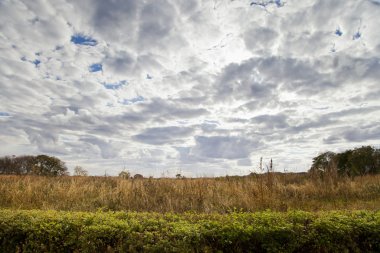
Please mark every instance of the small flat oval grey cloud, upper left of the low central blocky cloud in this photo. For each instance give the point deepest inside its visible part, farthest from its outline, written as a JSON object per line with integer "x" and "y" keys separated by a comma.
{"x": 163, "y": 135}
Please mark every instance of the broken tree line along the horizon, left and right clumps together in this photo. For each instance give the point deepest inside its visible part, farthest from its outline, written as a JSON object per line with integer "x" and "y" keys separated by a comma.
{"x": 352, "y": 162}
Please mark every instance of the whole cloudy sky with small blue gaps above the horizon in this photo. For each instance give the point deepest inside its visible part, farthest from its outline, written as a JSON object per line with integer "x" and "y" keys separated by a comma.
{"x": 200, "y": 88}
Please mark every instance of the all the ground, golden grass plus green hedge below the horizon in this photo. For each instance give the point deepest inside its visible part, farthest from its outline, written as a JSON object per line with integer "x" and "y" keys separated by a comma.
{"x": 258, "y": 213}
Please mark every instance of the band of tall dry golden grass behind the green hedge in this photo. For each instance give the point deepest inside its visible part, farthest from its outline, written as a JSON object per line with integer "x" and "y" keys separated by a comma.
{"x": 280, "y": 192}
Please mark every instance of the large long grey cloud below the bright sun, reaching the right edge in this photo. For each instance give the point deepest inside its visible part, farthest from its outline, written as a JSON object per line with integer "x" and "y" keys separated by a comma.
{"x": 257, "y": 76}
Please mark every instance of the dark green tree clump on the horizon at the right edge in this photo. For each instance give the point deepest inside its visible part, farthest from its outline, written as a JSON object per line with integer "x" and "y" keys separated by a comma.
{"x": 356, "y": 162}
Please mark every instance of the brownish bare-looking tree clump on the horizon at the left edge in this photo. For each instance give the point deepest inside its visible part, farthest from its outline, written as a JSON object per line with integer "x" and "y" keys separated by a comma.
{"x": 37, "y": 165}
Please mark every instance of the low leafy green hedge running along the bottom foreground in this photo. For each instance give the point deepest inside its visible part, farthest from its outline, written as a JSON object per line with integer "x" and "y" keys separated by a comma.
{"x": 55, "y": 231}
